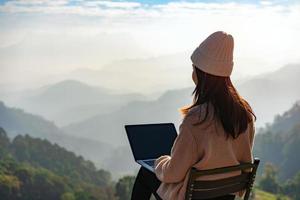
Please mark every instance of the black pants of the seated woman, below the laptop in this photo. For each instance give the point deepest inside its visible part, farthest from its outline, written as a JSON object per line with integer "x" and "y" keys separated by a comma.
{"x": 146, "y": 183}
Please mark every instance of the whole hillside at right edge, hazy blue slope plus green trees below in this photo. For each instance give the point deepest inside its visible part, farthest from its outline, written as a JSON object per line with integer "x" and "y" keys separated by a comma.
{"x": 277, "y": 145}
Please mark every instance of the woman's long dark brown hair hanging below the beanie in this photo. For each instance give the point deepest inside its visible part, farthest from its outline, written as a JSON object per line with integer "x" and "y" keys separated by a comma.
{"x": 230, "y": 108}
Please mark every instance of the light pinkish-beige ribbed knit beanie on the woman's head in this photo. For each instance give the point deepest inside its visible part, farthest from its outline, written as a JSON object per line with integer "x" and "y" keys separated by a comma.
{"x": 215, "y": 54}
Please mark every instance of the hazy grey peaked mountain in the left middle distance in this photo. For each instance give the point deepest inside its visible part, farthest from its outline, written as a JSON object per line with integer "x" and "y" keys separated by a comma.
{"x": 71, "y": 101}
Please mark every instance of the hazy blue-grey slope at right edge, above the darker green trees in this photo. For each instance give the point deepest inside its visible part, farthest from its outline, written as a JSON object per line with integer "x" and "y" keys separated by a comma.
{"x": 278, "y": 143}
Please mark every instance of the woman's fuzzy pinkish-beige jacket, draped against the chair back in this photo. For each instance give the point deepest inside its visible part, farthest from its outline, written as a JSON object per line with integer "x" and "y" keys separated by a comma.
{"x": 205, "y": 147}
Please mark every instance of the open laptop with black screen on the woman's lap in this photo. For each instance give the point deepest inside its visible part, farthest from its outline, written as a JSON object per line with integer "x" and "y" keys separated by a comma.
{"x": 149, "y": 141}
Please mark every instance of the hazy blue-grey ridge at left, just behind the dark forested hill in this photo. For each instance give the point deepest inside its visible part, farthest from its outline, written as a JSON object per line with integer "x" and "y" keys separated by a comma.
{"x": 17, "y": 122}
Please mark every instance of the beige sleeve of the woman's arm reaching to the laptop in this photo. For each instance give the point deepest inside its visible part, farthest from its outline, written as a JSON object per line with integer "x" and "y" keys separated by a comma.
{"x": 173, "y": 168}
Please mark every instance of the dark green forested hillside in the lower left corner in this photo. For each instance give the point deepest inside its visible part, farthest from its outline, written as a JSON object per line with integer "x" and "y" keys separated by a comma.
{"x": 33, "y": 168}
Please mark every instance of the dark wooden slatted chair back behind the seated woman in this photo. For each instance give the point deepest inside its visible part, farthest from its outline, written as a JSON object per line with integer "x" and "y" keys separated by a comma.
{"x": 200, "y": 189}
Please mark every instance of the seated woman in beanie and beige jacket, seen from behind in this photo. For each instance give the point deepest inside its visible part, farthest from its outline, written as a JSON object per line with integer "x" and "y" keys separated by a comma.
{"x": 217, "y": 129}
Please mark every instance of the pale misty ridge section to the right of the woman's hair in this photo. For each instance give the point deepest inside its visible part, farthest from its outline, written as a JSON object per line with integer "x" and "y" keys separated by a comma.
{"x": 272, "y": 93}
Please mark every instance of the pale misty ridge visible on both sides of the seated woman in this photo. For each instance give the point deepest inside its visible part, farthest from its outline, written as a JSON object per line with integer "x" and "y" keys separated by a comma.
{"x": 269, "y": 95}
